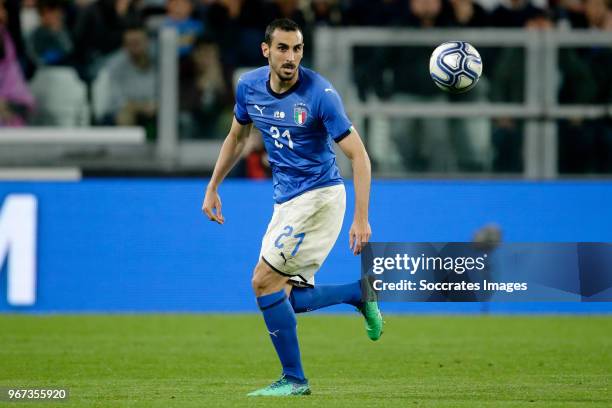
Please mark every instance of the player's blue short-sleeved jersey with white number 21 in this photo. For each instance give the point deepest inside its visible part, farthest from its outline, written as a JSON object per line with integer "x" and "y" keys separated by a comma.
{"x": 297, "y": 126}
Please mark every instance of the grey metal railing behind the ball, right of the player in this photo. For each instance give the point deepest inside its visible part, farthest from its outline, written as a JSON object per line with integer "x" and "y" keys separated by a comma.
{"x": 334, "y": 58}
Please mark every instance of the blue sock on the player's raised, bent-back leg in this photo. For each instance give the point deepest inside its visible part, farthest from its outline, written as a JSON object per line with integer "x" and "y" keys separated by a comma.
{"x": 308, "y": 299}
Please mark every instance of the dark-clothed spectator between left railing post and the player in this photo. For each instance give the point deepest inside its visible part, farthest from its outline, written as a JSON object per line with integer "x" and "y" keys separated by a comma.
{"x": 203, "y": 93}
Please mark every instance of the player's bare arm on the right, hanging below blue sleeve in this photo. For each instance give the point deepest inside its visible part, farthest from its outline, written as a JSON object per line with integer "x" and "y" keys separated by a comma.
{"x": 353, "y": 148}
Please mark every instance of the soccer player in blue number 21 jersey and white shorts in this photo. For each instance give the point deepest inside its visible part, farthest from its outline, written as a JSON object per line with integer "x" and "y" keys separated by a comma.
{"x": 299, "y": 114}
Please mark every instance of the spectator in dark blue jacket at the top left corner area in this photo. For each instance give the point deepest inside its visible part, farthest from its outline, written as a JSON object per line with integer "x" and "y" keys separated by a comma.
{"x": 50, "y": 43}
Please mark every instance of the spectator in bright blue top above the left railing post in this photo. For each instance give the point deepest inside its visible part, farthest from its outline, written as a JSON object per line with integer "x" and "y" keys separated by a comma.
{"x": 178, "y": 15}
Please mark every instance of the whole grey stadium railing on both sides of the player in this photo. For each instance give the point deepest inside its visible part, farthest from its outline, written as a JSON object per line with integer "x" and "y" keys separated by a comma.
{"x": 334, "y": 58}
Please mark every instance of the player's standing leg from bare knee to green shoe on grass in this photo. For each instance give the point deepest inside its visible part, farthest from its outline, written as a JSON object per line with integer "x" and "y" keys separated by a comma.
{"x": 269, "y": 287}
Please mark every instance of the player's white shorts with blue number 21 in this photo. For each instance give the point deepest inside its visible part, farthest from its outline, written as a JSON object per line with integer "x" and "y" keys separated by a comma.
{"x": 302, "y": 232}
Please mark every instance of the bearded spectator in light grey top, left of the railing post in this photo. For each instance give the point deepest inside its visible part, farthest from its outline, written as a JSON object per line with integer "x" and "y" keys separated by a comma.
{"x": 133, "y": 83}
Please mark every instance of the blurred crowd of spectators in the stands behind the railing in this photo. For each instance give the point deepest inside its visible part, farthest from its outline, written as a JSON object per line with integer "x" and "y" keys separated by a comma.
{"x": 94, "y": 62}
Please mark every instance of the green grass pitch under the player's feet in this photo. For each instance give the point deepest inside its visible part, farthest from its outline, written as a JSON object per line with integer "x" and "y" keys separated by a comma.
{"x": 214, "y": 360}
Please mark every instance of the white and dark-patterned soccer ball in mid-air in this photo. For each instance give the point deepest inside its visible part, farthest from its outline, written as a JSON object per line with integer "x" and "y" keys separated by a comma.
{"x": 455, "y": 66}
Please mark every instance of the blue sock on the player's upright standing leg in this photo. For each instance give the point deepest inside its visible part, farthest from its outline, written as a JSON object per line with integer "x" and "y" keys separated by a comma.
{"x": 282, "y": 326}
